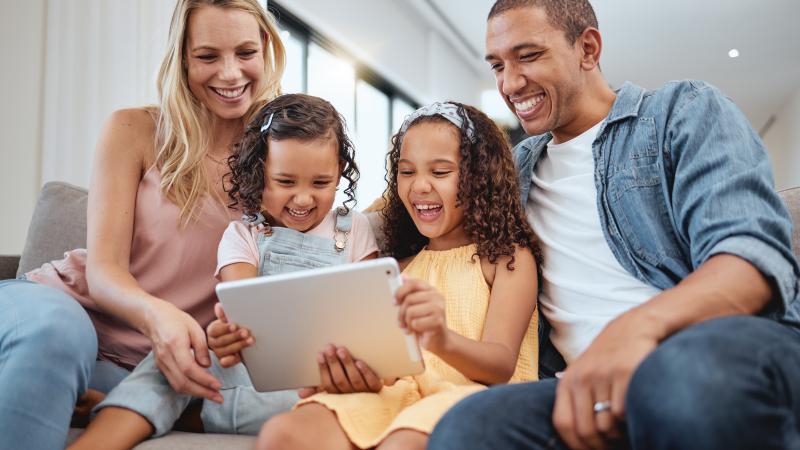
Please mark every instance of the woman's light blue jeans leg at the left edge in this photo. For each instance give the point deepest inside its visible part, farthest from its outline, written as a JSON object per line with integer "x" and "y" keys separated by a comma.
{"x": 48, "y": 348}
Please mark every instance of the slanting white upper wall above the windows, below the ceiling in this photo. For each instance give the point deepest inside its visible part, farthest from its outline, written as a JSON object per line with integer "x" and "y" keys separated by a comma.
{"x": 393, "y": 38}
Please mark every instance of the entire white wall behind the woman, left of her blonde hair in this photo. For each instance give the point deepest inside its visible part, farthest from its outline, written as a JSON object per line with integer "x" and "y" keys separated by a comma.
{"x": 68, "y": 64}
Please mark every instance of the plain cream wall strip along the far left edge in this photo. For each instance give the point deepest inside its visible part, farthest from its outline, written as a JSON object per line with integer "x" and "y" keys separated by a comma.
{"x": 22, "y": 46}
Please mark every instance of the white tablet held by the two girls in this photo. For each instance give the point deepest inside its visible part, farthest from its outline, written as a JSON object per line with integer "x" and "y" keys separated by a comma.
{"x": 294, "y": 316}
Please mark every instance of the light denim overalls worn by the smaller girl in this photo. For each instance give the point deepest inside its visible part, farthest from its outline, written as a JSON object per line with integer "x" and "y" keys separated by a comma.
{"x": 148, "y": 393}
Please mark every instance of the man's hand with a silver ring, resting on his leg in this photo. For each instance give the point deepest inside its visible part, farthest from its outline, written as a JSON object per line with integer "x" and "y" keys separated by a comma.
{"x": 590, "y": 398}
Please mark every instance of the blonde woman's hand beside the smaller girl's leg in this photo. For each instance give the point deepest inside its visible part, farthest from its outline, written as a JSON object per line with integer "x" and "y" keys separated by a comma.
{"x": 181, "y": 354}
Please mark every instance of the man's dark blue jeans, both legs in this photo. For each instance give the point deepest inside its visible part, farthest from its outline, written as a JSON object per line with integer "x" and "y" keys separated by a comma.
{"x": 731, "y": 383}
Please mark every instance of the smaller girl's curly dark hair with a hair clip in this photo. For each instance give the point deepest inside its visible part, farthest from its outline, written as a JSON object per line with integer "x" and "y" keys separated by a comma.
{"x": 293, "y": 116}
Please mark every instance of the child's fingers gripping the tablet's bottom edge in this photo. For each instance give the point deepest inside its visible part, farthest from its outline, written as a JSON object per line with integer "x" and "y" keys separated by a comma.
{"x": 340, "y": 373}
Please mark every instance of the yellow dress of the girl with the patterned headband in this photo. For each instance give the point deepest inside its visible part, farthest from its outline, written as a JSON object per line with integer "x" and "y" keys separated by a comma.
{"x": 418, "y": 402}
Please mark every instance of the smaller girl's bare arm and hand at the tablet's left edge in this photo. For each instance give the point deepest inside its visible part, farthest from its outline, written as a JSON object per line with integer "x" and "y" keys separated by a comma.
{"x": 225, "y": 338}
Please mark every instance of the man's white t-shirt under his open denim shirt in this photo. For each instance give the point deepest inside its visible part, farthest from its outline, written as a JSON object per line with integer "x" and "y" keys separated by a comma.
{"x": 583, "y": 285}
